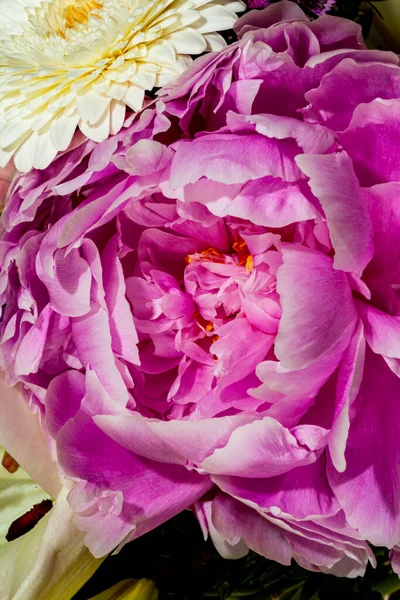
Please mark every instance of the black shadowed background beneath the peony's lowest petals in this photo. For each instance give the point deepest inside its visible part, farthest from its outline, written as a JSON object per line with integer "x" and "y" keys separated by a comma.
{"x": 185, "y": 567}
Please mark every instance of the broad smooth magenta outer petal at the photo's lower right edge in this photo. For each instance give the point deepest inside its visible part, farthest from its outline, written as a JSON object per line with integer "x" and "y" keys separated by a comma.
{"x": 369, "y": 488}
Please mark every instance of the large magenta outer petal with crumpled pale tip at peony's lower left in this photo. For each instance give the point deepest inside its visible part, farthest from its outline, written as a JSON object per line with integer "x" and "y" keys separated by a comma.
{"x": 122, "y": 494}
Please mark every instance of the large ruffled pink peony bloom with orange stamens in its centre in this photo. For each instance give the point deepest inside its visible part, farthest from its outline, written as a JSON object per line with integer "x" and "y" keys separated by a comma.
{"x": 205, "y": 309}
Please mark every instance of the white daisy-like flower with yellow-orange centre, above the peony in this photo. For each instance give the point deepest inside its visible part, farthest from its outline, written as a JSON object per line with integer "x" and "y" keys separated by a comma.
{"x": 79, "y": 63}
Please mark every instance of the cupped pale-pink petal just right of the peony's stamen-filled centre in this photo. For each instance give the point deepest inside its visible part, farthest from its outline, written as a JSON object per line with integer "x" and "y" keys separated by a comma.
{"x": 320, "y": 316}
